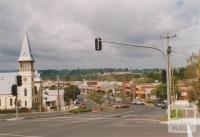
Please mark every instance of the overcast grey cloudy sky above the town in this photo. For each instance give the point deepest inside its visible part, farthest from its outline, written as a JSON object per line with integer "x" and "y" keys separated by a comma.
{"x": 62, "y": 32}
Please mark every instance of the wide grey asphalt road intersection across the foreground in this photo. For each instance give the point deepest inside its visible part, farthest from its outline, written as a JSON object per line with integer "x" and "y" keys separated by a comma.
{"x": 139, "y": 121}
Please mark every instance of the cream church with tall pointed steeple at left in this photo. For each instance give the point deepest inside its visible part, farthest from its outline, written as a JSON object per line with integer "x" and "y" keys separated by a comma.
{"x": 30, "y": 93}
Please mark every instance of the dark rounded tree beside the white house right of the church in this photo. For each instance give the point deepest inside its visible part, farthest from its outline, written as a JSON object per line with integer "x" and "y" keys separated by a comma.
{"x": 71, "y": 92}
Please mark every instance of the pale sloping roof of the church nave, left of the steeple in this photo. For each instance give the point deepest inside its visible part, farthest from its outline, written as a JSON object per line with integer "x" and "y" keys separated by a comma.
{"x": 6, "y": 81}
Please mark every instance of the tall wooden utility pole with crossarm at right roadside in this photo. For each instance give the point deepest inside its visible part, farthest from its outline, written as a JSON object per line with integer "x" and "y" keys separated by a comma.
{"x": 169, "y": 73}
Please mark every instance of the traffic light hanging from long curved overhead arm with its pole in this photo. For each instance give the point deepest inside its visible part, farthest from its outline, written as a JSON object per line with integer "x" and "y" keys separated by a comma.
{"x": 166, "y": 56}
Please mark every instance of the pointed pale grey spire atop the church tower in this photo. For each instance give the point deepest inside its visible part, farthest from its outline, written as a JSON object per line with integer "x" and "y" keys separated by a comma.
{"x": 26, "y": 54}
